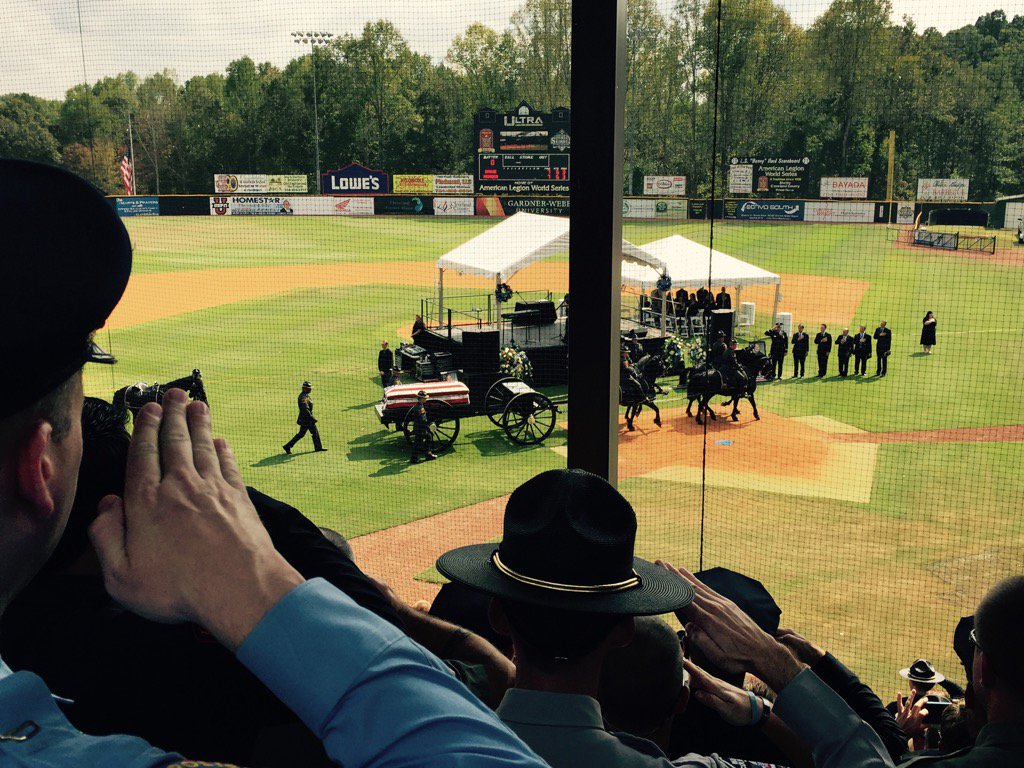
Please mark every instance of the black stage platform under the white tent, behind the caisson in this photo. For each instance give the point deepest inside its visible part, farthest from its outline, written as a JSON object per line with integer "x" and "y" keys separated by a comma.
{"x": 545, "y": 346}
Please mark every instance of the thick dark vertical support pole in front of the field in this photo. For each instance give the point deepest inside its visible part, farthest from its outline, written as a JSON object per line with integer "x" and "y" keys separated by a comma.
{"x": 599, "y": 59}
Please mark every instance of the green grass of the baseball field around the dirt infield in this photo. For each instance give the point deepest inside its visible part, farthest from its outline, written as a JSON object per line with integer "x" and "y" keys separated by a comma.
{"x": 944, "y": 519}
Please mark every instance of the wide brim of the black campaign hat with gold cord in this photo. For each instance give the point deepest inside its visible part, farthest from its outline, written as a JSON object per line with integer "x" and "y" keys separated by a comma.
{"x": 659, "y": 592}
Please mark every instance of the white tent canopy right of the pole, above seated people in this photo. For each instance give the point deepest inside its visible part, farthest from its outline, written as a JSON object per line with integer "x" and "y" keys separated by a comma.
{"x": 687, "y": 263}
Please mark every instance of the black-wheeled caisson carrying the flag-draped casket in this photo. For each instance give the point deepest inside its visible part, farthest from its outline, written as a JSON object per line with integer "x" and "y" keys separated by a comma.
{"x": 528, "y": 417}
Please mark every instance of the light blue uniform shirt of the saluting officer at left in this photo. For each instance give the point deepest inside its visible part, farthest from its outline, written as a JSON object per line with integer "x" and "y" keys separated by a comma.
{"x": 373, "y": 696}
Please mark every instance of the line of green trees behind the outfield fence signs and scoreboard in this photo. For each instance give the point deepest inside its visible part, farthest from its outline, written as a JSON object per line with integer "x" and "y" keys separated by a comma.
{"x": 832, "y": 92}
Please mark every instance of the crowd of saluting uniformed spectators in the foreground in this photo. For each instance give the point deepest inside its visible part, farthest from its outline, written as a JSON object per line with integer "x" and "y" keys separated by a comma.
{"x": 155, "y": 607}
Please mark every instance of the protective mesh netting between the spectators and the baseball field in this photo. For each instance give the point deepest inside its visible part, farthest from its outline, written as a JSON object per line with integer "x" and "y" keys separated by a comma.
{"x": 845, "y": 140}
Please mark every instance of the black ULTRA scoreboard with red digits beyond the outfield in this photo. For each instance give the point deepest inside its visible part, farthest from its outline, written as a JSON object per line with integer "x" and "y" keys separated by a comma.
{"x": 523, "y": 152}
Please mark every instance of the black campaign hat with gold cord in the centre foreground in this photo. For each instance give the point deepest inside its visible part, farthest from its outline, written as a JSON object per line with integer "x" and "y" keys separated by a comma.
{"x": 568, "y": 544}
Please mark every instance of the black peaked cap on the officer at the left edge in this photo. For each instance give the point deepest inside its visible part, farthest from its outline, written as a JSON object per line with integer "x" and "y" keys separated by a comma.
{"x": 66, "y": 264}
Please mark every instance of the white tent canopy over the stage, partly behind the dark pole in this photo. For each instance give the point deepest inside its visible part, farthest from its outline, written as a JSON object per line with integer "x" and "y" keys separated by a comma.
{"x": 520, "y": 241}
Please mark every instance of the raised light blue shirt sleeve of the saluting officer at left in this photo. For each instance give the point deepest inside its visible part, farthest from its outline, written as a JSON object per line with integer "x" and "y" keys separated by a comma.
{"x": 368, "y": 692}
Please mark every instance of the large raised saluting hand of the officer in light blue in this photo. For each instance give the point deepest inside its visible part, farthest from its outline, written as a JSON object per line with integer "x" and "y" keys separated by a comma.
{"x": 186, "y": 543}
